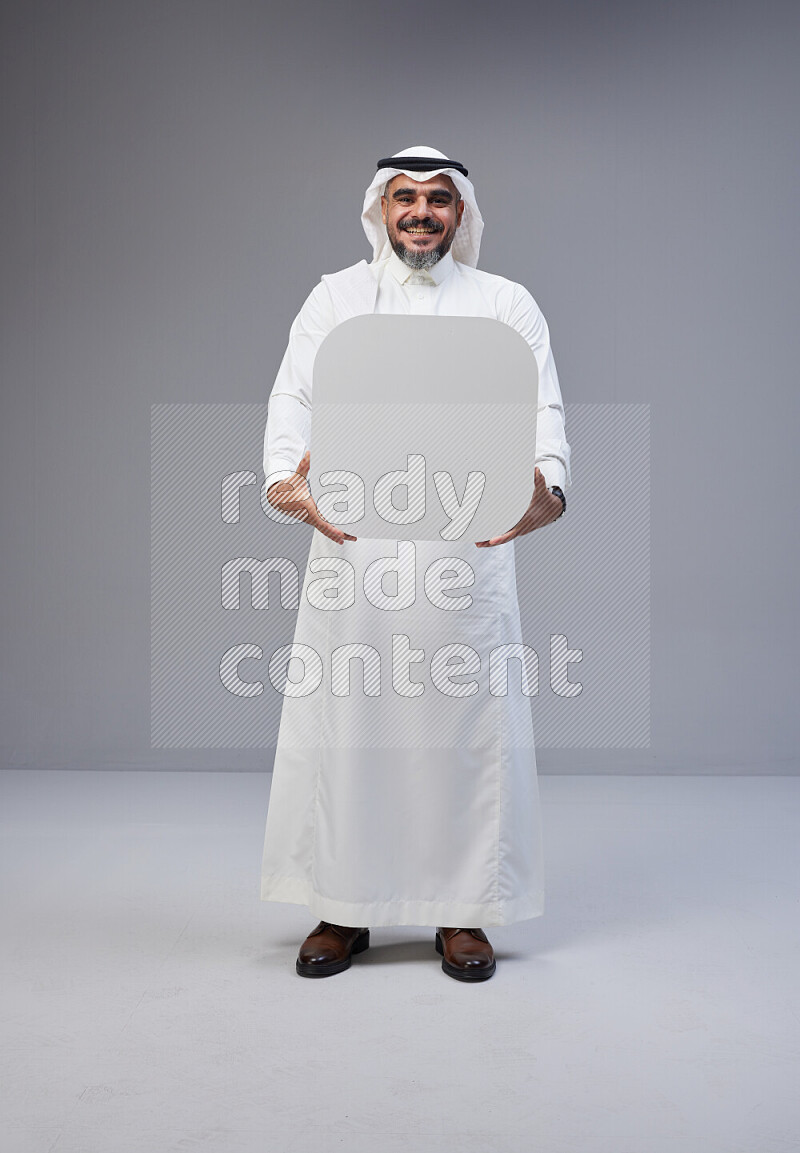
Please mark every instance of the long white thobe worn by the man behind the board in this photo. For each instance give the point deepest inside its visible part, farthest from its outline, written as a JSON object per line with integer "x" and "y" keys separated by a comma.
{"x": 419, "y": 805}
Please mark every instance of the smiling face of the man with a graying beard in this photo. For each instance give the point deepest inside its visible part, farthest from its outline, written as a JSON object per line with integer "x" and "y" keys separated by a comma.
{"x": 421, "y": 218}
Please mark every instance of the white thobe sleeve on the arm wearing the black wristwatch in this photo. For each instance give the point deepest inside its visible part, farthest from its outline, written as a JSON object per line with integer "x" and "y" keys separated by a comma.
{"x": 553, "y": 451}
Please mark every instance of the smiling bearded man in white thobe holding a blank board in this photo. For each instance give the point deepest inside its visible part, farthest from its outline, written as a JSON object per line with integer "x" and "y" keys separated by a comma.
{"x": 433, "y": 819}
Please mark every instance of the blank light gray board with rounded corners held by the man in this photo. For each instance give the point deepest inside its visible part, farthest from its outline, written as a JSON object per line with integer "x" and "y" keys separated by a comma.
{"x": 424, "y": 427}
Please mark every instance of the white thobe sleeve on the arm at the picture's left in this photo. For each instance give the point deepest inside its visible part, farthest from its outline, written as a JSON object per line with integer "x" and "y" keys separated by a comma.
{"x": 289, "y": 421}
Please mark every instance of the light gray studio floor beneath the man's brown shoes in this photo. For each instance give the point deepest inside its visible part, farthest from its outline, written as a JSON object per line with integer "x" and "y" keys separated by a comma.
{"x": 152, "y": 1005}
